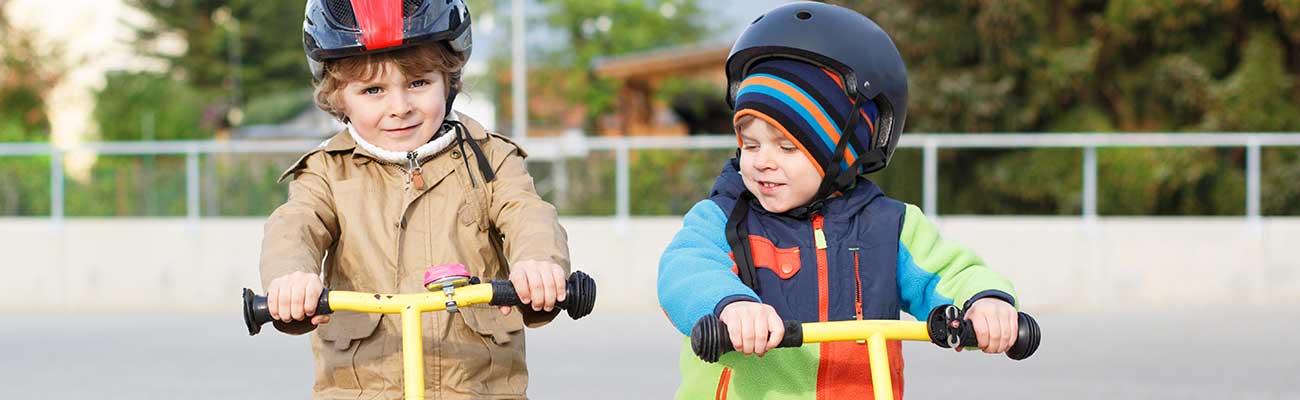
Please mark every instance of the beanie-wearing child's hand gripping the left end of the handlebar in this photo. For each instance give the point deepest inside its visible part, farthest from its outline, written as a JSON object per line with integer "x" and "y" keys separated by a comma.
{"x": 755, "y": 328}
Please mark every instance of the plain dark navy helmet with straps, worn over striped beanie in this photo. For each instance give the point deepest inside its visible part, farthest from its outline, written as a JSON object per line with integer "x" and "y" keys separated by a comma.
{"x": 868, "y": 62}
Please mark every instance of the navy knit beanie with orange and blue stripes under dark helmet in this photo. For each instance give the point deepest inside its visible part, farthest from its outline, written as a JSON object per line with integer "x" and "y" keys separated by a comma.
{"x": 809, "y": 106}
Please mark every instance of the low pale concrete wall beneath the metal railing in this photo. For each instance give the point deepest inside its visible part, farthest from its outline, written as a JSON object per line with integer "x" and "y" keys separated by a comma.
{"x": 1058, "y": 263}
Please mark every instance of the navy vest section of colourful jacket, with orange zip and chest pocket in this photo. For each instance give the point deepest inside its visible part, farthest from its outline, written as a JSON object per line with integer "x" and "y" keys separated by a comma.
{"x": 861, "y": 231}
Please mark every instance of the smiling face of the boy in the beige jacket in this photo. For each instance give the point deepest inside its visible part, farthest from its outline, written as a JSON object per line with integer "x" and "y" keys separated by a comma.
{"x": 396, "y": 112}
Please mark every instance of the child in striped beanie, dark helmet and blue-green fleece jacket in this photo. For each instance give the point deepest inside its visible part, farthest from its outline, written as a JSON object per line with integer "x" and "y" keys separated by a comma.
{"x": 794, "y": 232}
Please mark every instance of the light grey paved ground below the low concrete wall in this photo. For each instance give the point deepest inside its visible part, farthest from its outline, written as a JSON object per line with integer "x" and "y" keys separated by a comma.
{"x": 1181, "y": 355}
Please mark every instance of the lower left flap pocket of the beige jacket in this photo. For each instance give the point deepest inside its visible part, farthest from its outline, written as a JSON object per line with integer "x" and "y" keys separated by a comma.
{"x": 337, "y": 358}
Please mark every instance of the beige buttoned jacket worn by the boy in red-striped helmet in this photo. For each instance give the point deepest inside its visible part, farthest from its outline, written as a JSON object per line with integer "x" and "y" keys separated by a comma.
{"x": 378, "y": 234}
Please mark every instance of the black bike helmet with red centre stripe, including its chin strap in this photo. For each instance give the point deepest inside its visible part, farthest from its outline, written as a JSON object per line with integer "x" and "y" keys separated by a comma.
{"x": 341, "y": 29}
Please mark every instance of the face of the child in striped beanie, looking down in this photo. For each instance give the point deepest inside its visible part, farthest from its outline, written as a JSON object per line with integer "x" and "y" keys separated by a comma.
{"x": 774, "y": 169}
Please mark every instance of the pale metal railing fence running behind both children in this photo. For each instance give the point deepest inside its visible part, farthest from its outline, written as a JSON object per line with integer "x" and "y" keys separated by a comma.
{"x": 562, "y": 149}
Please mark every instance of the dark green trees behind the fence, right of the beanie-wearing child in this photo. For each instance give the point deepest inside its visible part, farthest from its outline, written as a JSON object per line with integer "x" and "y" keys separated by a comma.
{"x": 1095, "y": 66}
